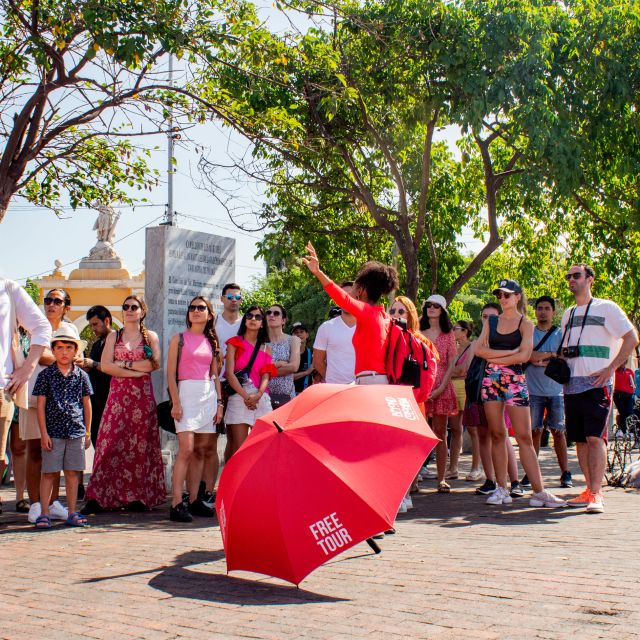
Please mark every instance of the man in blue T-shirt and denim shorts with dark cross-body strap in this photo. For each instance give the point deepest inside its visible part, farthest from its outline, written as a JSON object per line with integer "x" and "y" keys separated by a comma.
{"x": 546, "y": 401}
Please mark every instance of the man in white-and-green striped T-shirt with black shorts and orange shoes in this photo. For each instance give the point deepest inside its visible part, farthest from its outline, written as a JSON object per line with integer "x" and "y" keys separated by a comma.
{"x": 597, "y": 338}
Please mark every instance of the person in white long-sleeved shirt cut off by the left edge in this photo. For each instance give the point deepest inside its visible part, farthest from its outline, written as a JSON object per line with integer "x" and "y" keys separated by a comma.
{"x": 16, "y": 307}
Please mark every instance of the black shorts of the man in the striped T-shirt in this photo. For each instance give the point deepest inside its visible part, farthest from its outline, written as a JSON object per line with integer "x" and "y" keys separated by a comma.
{"x": 587, "y": 414}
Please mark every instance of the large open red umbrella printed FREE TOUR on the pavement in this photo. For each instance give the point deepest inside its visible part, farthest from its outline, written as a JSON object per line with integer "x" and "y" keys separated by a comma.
{"x": 319, "y": 475}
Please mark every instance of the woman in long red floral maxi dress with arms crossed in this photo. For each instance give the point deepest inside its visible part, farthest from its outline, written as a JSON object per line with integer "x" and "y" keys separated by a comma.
{"x": 127, "y": 468}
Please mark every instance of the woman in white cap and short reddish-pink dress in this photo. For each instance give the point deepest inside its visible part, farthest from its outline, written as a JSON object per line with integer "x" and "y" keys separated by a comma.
{"x": 442, "y": 403}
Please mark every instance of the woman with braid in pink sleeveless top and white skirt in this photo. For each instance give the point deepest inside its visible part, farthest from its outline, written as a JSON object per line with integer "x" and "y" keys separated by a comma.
{"x": 194, "y": 387}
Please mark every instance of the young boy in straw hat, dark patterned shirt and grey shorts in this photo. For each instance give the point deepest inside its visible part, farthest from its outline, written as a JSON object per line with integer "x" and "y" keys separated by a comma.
{"x": 64, "y": 418}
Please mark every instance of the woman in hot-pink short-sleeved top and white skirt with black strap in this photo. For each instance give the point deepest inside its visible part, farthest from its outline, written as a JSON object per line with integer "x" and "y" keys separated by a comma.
{"x": 248, "y": 368}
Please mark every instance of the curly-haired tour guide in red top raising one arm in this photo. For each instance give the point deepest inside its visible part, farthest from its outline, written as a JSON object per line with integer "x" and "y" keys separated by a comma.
{"x": 372, "y": 322}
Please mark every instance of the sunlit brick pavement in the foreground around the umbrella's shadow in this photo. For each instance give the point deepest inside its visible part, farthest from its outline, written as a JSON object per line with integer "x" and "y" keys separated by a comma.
{"x": 455, "y": 569}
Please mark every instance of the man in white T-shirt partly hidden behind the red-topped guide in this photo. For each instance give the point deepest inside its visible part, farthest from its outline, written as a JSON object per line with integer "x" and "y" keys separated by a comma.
{"x": 334, "y": 357}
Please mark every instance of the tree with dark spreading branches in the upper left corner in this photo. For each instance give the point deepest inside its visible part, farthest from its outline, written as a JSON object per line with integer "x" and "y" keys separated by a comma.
{"x": 80, "y": 79}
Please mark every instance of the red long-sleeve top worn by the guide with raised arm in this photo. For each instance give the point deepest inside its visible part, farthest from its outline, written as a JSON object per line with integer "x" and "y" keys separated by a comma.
{"x": 372, "y": 329}
